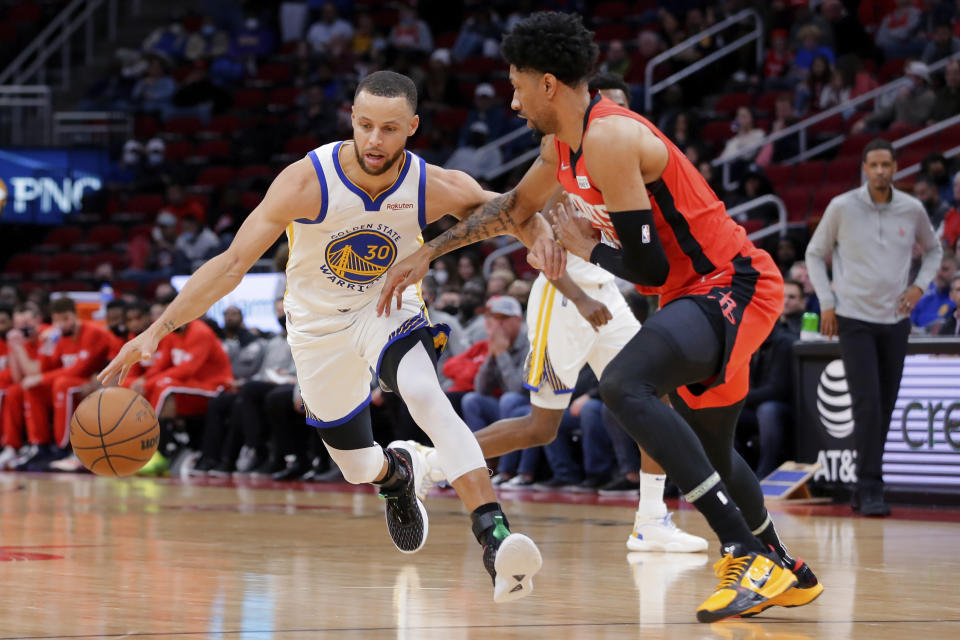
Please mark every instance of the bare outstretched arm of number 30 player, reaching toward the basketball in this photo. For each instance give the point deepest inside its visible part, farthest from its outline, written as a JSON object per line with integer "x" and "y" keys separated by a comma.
{"x": 287, "y": 199}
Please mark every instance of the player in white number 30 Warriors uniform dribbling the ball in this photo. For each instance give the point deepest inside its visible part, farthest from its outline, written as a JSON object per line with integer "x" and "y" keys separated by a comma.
{"x": 350, "y": 210}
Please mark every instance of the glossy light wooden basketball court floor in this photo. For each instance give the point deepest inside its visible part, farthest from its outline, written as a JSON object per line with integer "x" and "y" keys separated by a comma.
{"x": 96, "y": 558}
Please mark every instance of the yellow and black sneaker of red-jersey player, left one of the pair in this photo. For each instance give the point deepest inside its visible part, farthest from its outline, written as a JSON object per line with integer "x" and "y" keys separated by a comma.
{"x": 747, "y": 579}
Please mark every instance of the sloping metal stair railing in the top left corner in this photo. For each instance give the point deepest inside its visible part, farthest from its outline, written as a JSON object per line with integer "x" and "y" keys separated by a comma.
{"x": 56, "y": 40}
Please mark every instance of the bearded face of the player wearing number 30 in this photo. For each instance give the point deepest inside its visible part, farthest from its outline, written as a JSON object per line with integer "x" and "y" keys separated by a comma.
{"x": 381, "y": 127}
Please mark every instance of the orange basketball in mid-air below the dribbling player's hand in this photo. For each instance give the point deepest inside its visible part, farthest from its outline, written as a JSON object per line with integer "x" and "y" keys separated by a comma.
{"x": 114, "y": 431}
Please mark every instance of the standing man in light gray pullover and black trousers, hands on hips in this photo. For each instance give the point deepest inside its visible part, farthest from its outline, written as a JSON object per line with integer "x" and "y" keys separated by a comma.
{"x": 870, "y": 233}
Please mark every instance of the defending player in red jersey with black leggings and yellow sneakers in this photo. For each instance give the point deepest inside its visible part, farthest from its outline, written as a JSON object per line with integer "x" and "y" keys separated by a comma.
{"x": 661, "y": 227}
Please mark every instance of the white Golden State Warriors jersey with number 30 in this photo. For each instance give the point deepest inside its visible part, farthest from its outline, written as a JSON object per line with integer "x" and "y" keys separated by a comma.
{"x": 338, "y": 256}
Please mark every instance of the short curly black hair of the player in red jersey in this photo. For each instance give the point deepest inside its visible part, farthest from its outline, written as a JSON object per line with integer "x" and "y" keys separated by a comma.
{"x": 552, "y": 42}
